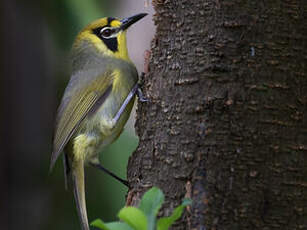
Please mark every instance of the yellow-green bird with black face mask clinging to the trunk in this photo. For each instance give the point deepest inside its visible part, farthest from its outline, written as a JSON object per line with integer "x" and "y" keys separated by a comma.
{"x": 97, "y": 101}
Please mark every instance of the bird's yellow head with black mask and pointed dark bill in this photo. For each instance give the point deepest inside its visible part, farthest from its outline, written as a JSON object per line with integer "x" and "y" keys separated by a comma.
{"x": 108, "y": 35}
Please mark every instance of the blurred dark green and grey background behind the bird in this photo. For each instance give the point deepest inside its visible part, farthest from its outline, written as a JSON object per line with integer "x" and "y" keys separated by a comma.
{"x": 36, "y": 37}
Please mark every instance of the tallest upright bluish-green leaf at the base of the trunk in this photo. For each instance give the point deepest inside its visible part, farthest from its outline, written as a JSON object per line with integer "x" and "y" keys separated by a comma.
{"x": 150, "y": 205}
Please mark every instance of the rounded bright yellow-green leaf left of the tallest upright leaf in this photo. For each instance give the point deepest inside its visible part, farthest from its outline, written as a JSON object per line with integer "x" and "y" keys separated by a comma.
{"x": 134, "y": 217}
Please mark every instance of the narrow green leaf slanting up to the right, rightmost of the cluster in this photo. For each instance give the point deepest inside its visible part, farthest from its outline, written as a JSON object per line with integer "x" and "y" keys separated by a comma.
{"x": 165, "y": 222}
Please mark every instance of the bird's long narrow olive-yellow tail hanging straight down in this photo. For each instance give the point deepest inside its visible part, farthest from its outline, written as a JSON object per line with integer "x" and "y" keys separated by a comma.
{"x": 79, "y": 192}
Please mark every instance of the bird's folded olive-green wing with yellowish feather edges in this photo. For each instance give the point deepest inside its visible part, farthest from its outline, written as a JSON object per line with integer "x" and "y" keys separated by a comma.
{"x": 77, "y": 103}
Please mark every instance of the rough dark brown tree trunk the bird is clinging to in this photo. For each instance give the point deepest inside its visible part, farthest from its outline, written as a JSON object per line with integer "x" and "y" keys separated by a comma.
{"x": 227, "y": 119}
